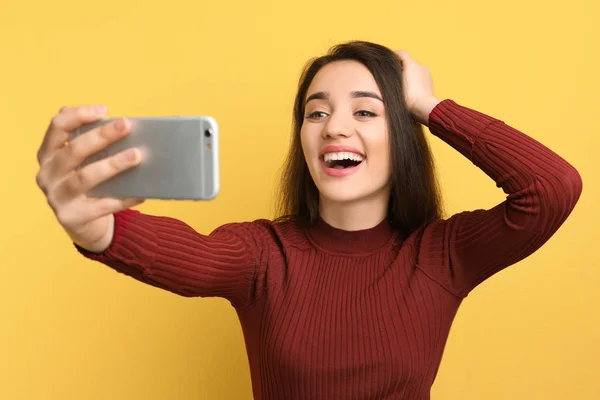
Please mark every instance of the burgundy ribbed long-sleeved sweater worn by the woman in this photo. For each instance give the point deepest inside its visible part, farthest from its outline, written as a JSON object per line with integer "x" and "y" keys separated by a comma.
{"x": 331, "y": 314}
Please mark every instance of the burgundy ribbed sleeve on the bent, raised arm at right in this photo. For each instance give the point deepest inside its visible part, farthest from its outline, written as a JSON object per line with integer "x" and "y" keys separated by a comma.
{"x": 542, "y": 189}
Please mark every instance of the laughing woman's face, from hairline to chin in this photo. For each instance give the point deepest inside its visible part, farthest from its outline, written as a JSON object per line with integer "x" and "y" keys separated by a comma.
{"x": 345, "y": 136}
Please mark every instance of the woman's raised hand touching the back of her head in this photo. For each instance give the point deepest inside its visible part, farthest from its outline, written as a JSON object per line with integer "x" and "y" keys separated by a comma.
{"x": 418, "y": 88}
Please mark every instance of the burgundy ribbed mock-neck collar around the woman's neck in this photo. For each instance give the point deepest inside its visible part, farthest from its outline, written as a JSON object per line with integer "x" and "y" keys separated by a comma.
{"x": 362, "y": 241}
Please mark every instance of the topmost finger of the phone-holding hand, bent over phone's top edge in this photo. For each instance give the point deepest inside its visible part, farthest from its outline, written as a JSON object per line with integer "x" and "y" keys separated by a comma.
{"x": 67, "y": 120}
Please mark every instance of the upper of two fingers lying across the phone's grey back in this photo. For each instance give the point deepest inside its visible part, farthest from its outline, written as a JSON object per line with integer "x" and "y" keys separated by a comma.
{"x": 69, "y": 157}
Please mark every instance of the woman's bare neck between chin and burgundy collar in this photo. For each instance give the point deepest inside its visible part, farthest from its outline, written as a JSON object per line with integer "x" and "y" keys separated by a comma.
{"x": 354, "y": 215}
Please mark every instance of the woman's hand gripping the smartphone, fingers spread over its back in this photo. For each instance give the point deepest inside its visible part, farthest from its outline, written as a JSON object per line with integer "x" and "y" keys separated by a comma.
{"x": 87, "y": 220}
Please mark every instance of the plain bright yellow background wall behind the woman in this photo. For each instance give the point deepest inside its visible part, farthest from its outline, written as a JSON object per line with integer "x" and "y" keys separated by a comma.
{"x": 73, "y": 329}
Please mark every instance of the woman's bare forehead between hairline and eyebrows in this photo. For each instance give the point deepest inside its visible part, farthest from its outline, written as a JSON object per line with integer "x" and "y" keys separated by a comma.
{"x": 342, "y": 77}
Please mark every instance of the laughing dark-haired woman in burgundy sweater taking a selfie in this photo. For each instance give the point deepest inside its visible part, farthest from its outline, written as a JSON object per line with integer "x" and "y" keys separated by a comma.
{"x": 352, "y": 292}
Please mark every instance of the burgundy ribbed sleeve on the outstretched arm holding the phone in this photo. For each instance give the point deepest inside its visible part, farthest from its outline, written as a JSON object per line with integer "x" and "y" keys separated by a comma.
{"x": 167, "y": 253}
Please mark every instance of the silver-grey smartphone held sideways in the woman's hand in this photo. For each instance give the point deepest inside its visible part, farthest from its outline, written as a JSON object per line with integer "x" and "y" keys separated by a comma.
{"x": 180, "y": 159}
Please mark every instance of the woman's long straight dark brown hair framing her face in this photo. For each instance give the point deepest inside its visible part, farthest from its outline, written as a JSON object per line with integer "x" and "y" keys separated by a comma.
{"x": 415, "y": 196}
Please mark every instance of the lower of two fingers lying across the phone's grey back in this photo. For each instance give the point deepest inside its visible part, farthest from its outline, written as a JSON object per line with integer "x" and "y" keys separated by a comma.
{"x": 83, "y": 180}
